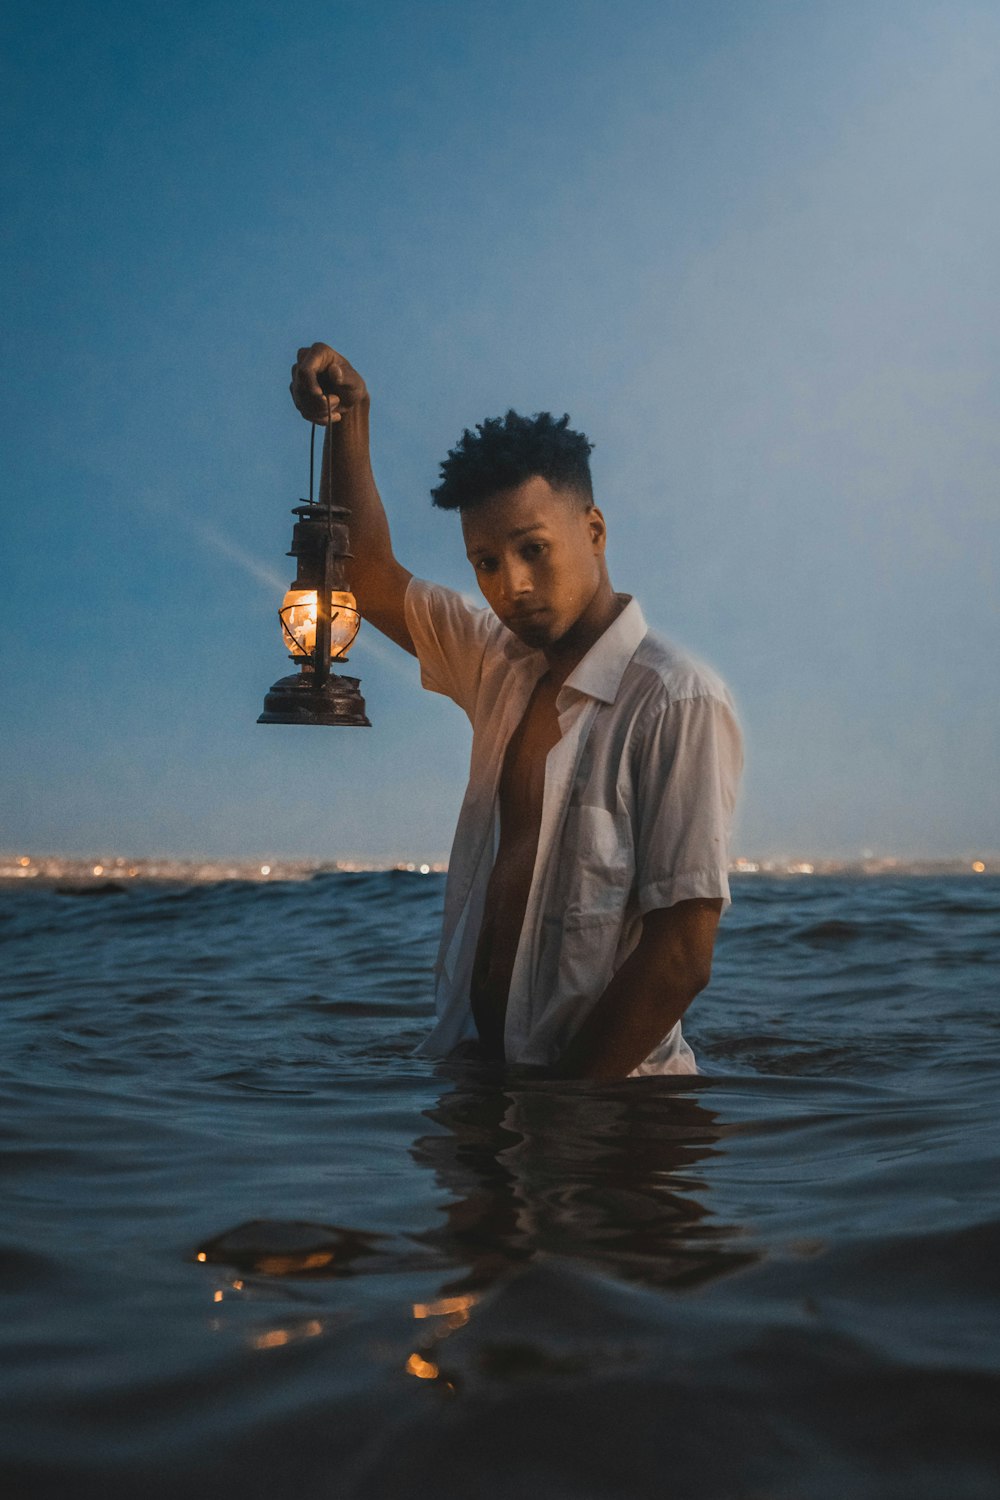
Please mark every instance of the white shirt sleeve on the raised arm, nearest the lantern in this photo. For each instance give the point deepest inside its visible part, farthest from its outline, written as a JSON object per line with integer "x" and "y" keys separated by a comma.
{"x": 452, "y": 638}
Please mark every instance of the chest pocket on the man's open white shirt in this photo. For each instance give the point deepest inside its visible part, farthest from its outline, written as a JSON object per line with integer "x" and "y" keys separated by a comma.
{"x": 597, "y": 866}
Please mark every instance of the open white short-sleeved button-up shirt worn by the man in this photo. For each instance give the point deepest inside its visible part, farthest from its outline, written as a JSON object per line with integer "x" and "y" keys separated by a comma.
{"x": 636, "y": 815}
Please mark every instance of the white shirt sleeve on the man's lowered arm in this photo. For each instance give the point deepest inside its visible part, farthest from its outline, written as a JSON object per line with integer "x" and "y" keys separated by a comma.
{"x": 690, "y": 760}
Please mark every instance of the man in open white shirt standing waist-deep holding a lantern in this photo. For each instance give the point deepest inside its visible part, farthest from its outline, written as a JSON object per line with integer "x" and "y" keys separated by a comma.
{"x": 590, "y": 863}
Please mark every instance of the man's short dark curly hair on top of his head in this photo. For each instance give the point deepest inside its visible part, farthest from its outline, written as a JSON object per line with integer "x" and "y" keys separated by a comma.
{"x": 504, "y": 452}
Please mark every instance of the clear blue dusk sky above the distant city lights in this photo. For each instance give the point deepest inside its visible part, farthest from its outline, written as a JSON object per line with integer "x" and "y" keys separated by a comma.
{"x": 752, "y": 250}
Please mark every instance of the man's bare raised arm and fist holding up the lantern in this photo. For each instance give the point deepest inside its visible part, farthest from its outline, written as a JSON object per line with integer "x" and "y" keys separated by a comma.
{"x": 329, "y": 391}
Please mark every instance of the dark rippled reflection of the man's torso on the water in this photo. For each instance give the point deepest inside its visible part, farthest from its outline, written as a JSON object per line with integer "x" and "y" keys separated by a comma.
{"x": 596, "y": 1174}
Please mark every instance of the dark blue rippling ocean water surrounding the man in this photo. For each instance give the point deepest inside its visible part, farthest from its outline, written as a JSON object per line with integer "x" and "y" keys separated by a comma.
{"x": 253, "y": 1247}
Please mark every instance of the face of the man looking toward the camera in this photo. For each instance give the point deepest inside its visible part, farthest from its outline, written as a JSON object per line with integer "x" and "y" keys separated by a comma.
{"x": 539, "y": 559}
